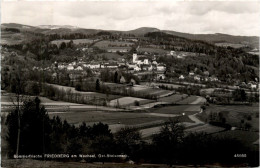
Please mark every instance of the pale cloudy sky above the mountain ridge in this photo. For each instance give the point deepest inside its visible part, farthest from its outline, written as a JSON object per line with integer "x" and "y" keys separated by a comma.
{"x": 200, "y": 17}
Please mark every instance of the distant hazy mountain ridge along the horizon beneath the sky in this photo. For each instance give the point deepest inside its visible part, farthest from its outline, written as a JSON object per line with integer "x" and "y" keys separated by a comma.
{"x": 252, "y": 41}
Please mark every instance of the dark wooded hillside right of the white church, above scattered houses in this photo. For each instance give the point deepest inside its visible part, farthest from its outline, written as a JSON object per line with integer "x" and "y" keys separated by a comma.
{"x": 226, "y": 63}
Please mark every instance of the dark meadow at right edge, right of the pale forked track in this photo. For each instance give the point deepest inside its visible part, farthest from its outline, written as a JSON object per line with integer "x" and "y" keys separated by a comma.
{"x": 234, "y": 114}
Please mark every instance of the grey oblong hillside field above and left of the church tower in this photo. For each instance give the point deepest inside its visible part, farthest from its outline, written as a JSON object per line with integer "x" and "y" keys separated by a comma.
{"x": 107, "y": 43}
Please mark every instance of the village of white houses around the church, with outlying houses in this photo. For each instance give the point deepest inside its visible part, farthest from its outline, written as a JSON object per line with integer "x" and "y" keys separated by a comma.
{"x": 140, "y": 64}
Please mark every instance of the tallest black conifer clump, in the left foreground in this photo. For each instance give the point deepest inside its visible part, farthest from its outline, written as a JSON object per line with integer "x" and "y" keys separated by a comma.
{"x": 33, "y": 121}
